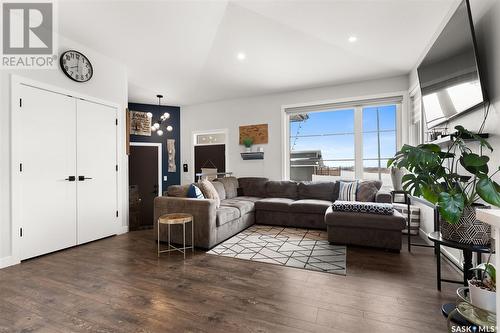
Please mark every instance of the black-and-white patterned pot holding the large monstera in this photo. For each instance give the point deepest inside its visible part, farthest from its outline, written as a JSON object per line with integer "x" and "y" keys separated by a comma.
{"x": 468, "y": 230}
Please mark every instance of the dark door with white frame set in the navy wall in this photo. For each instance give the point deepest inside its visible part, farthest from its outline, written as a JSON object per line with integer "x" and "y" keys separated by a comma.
{"x": 145, "y": 183}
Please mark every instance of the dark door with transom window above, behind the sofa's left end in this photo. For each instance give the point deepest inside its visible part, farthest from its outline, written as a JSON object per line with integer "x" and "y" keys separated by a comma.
{"x": 209, "y": 154}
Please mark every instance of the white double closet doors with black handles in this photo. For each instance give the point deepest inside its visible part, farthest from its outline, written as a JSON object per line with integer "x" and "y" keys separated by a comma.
{"x": 67, "y": 175}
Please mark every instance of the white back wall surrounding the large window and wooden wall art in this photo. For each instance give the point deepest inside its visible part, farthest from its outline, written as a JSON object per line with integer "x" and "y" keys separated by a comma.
{"x": 230, "y": 114}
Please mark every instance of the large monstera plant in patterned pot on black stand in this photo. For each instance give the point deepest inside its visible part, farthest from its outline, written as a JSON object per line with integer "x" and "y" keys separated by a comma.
{"x": 434, "y": 175}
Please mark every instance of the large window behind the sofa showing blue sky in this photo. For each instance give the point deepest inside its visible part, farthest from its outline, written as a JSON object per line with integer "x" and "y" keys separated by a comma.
{"x": 342, "y": 142}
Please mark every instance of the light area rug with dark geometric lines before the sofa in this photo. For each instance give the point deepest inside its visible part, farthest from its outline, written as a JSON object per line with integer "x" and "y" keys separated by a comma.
{"x": 293, "y": 247}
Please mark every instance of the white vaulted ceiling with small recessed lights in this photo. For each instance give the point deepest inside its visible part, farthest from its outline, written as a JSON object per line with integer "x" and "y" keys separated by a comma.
{"x": 187, "y": 50}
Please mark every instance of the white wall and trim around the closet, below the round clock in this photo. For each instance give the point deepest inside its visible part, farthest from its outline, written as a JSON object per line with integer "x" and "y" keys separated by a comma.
{"x": 109, "y": 83}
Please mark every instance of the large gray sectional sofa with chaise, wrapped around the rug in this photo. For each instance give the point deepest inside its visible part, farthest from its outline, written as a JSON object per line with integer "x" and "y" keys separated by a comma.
{"x": 249, "y": 200}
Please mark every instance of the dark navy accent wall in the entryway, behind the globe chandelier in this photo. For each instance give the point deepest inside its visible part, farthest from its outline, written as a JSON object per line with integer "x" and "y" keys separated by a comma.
{"x": 173, "y": 178}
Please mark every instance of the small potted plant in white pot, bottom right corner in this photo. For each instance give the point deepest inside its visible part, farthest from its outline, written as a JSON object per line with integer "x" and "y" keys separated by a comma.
{"x": 482, "y": 287}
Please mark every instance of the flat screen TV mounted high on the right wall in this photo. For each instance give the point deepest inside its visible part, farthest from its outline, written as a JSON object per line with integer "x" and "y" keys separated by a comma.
{"x": 449, "y": 75}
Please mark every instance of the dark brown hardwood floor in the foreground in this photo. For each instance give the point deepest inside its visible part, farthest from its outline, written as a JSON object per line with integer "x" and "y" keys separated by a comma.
{"x": 119, "y": 285}
